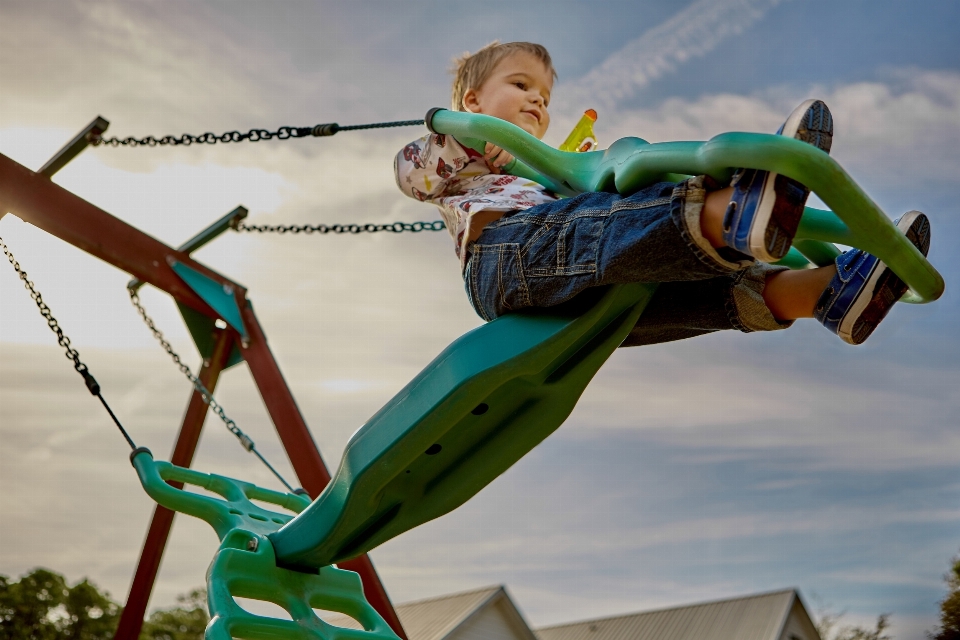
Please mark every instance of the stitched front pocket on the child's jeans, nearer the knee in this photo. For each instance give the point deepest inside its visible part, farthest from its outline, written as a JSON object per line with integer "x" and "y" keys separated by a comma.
{"x": 564, "y": 247}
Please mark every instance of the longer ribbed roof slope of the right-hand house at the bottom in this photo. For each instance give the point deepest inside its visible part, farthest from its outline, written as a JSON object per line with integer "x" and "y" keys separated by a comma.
{"x": 757, "y": 617}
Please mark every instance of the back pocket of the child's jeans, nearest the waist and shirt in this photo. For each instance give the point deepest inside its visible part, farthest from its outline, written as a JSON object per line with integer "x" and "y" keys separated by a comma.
{"x": 495, "y": 280}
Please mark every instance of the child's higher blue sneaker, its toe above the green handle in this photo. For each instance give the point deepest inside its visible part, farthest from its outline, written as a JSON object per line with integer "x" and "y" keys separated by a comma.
{"x": 765, "y": 209}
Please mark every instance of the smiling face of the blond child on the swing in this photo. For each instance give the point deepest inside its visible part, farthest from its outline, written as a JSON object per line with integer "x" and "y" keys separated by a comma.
{"x": 517, "y": 91}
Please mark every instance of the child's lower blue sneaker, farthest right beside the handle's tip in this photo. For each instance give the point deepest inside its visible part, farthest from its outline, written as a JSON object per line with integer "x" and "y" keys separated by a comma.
{"x": 865, "y": 289}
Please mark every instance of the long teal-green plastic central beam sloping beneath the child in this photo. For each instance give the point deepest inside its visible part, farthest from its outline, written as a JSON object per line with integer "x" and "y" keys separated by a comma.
{"x": 480, "y": 406}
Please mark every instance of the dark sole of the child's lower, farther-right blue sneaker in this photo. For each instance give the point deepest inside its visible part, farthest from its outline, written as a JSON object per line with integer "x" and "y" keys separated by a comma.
{"x": 886, "y": 286}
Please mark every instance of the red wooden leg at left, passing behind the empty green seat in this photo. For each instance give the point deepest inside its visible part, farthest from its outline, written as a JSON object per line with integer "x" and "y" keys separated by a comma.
{"x": 131, "y": 620}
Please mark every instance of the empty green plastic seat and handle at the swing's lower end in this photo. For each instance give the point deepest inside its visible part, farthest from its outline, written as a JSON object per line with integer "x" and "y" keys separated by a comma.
{"x": 245, "y": 565}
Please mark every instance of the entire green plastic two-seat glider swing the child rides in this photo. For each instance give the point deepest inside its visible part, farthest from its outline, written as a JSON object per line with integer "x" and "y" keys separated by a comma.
{"x": 492, "y": 395}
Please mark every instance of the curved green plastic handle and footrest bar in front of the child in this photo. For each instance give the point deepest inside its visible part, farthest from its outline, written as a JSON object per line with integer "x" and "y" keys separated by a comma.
{"x": 632, "y": 163}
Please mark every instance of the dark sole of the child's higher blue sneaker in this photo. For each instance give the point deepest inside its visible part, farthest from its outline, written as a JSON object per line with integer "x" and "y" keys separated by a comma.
{"x": 812, "y": 123}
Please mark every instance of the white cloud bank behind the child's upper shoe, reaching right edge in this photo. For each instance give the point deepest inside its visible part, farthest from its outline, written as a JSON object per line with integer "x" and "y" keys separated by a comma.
{"x": 890, "y": 135}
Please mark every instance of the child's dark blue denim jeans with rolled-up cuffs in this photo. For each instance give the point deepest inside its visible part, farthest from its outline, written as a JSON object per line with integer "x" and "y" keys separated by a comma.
{"x": 546, "y": 255}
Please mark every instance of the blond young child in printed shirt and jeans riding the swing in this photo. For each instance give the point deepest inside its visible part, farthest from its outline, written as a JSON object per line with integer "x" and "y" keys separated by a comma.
{"x": 708, "y": 244}
